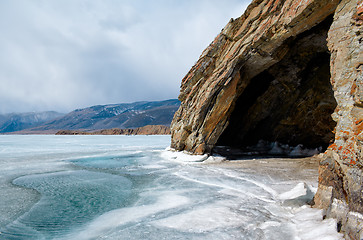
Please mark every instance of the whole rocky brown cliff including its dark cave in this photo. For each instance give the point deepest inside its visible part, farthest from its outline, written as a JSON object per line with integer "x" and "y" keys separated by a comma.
{"x": 287, "y": 71}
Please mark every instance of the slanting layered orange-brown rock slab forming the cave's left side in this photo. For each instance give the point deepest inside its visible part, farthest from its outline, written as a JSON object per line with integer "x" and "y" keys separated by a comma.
{"x": 245, "y": 48}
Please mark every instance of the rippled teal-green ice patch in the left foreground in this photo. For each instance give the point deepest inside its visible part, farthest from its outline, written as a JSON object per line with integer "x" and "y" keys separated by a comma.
{"x": 64, "y": 202}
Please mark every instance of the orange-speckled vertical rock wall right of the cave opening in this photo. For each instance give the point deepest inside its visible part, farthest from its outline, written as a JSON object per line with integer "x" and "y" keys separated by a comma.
{"x": 340, "y": 172}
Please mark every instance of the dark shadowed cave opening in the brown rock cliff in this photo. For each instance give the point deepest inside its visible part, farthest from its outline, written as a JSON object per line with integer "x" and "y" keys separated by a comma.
{"x": 287, "y": 105}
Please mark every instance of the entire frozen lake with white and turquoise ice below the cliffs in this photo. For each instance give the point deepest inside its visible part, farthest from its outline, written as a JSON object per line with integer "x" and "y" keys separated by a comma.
{"x": 130, "y": 187}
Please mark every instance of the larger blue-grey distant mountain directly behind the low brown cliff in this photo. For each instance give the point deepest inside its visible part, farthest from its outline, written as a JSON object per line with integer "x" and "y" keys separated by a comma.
{"x": 125, "y": 115}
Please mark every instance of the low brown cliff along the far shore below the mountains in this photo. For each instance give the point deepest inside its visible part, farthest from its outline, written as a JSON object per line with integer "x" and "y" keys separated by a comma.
{"x": 145, "y": 130}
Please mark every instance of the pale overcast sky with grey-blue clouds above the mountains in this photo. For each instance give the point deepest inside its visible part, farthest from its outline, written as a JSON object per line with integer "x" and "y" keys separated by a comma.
{"x": 66, "y": 54}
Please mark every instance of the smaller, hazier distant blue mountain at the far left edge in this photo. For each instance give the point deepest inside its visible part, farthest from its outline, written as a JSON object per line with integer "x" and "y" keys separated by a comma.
{"x": 18, "y": 121}
